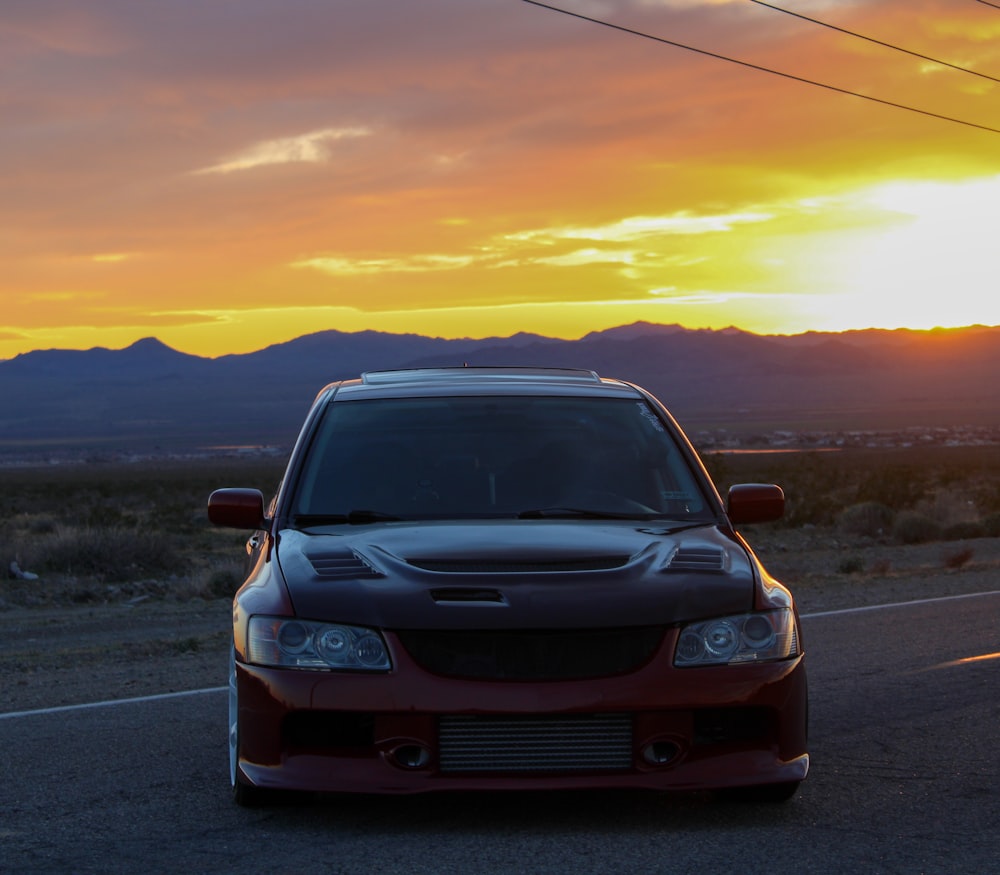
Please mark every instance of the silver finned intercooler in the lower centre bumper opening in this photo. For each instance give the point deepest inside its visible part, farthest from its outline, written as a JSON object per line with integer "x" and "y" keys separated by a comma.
{"x": 504, "y": 745}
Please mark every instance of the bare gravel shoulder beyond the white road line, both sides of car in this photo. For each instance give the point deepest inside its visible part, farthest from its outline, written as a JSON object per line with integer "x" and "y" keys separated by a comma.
{"x": 63, "y": 644}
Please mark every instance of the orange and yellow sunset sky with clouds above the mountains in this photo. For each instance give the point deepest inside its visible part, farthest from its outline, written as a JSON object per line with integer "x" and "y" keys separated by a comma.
{"x": 227, "y": 174}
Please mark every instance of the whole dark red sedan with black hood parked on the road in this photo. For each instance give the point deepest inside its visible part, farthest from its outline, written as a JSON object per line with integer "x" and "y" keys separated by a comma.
{"x": 507, "y": 579}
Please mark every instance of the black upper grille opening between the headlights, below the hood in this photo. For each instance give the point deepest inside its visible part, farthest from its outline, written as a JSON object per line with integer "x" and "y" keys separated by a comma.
{"x": 532, "y": 655}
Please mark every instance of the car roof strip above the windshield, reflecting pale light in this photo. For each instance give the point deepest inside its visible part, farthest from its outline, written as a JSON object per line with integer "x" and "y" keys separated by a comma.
{"x": 481, "y": 380}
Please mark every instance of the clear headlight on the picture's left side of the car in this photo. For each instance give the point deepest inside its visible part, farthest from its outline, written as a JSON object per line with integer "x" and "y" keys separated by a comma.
{"x": 292, "y": 643}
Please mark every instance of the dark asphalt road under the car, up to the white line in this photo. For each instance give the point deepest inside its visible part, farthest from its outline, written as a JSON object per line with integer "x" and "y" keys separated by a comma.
{"x": 905, "y": 769}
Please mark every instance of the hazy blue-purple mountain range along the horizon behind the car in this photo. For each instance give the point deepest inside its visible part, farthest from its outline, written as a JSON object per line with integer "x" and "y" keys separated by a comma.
{"x": 149, "y": 395}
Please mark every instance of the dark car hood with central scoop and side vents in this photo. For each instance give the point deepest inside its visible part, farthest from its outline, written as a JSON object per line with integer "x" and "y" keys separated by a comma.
{"x": 514, "y": 574}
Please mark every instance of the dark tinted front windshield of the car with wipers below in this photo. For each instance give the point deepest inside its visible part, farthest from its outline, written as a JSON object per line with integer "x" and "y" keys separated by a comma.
{"x": 487, "y": 457}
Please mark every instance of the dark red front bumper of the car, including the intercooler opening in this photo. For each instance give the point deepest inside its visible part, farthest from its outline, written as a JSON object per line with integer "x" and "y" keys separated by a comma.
{"x": 409, "y": 731}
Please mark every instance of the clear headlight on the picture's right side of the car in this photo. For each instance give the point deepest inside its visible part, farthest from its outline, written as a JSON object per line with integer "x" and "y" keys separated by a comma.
{"x": 742, "y": 638}
